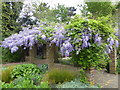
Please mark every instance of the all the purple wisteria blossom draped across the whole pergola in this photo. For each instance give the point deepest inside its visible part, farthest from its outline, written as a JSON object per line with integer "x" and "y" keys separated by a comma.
{"x": 61, "y": 37}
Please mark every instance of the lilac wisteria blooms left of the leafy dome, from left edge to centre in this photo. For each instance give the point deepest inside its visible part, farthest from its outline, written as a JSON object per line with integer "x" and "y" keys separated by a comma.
{"x": 28, "y": 37}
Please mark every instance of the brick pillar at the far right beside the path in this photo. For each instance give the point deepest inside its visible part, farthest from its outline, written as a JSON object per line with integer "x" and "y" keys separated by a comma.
{"x": 112, "y": 64}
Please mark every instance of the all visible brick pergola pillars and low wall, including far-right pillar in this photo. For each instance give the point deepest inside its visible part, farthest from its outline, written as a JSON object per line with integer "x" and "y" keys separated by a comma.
{"x": 50, "y": 55}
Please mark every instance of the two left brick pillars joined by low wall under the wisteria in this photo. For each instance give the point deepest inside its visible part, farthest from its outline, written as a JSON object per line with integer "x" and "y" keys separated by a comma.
{"x": 50, "y": 55}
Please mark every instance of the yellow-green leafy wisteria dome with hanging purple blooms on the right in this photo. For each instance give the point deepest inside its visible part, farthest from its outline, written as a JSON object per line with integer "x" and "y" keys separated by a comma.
{"x": 86, "y": 32}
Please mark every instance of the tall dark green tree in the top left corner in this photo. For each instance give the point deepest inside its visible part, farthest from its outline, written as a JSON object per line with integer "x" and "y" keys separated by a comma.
{"x": 10, "y": 13}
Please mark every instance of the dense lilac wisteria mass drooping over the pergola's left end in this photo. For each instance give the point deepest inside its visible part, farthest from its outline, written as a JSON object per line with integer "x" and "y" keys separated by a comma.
{"x": 26, "y": 38}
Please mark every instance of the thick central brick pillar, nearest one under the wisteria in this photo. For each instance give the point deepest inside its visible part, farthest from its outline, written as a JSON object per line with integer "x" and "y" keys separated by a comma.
{"x": 50, "y": 56}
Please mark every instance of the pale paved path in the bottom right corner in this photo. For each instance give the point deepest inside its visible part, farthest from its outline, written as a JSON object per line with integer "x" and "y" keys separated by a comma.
{"x": 106, "y": 80}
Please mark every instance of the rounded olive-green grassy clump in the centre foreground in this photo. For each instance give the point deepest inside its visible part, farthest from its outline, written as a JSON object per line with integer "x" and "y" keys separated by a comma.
{"x": 59, "y": 76}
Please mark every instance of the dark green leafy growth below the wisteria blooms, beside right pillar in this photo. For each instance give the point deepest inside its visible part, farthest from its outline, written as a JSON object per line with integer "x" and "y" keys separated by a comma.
{"x": 91, "y": 57}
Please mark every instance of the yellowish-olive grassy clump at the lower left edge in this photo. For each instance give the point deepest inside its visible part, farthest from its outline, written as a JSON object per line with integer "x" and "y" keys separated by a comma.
{"x": 6, "y": 74}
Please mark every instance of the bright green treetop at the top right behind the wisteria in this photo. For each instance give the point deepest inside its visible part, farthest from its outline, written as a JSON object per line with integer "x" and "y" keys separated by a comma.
{"x": 100, "y": 8}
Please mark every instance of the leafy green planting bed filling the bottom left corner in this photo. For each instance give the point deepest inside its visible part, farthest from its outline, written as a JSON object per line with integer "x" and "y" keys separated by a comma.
{"x": 20, "y": 76}
